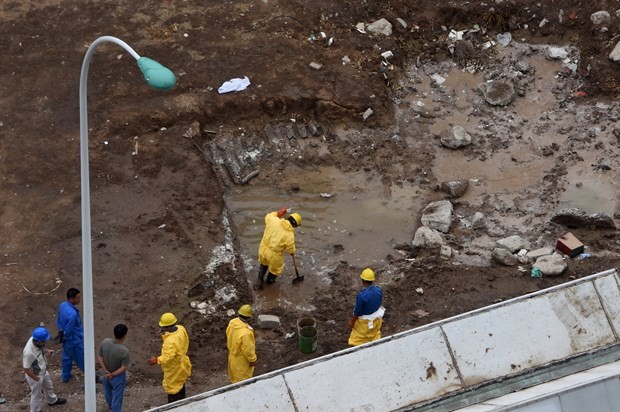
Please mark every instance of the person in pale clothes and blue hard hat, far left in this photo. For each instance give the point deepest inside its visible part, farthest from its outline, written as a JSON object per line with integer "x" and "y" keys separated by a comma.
{"x": 34, "y": 362}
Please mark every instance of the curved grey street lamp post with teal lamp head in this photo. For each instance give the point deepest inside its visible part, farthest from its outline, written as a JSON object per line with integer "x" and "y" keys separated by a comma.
{"x": 160, "y": 78}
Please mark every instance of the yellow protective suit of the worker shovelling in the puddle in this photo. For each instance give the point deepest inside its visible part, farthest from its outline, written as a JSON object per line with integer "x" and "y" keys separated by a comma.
{"x": 277, "y": 238}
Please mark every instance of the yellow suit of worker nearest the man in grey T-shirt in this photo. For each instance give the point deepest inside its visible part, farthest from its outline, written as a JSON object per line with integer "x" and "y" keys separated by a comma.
{"x": 174, "y": 361}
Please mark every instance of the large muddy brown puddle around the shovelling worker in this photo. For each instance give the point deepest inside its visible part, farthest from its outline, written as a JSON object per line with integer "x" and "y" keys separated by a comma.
{"x": 360, "y": 223}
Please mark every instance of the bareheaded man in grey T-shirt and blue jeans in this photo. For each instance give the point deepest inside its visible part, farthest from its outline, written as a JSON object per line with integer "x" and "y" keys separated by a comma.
{"x": 114, "y": 361}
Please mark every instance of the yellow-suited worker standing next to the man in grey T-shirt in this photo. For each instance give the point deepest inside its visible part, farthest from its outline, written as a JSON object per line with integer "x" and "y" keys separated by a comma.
{"x": 175, "y": 363}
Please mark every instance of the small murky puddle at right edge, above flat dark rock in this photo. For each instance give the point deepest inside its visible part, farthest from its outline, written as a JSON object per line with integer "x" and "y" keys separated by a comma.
{"x": 591, "y": 192}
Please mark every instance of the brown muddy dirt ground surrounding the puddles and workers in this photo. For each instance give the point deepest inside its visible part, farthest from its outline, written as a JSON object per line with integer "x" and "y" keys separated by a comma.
{"x": 162, "y": 162}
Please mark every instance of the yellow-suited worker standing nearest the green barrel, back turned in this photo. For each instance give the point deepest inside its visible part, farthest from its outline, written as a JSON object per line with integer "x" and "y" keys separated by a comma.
{"x": 241, "y": 346}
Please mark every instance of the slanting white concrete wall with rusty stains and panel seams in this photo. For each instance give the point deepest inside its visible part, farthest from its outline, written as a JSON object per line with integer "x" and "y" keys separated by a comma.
{"x": 425, "y": 363}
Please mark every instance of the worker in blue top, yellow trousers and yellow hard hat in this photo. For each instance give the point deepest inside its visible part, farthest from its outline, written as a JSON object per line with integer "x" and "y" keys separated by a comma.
{"x": 368, "y": 313}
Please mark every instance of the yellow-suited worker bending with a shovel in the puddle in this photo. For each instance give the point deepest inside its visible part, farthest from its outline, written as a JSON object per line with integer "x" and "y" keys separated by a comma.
{"x": 278, "y": 237}
